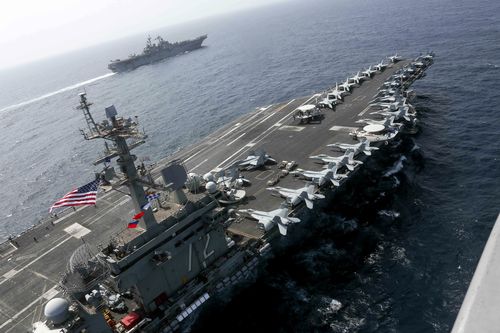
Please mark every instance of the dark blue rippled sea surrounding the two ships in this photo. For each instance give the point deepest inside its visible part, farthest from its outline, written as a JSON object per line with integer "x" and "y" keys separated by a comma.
{"x": 396, "y": 250}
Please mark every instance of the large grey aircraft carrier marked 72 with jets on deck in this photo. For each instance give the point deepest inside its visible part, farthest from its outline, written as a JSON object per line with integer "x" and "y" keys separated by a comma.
{"x": 84, "y": 270}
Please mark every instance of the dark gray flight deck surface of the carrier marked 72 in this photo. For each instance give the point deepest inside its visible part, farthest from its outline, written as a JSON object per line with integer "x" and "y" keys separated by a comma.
{"x": 28, "y": 275}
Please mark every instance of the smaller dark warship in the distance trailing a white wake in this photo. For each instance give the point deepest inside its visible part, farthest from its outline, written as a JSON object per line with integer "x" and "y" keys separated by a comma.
{"x": 154, "y": 52}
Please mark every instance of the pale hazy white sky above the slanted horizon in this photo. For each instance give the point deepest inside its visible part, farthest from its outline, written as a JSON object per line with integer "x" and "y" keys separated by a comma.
{"x": 32, "y": 29}
